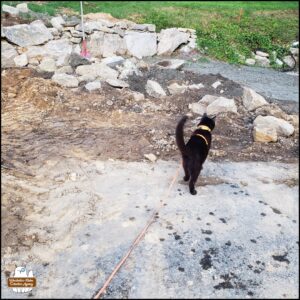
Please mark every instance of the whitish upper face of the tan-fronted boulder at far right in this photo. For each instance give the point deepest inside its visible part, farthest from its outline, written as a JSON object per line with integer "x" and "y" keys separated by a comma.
{"x": 281, "y": 126}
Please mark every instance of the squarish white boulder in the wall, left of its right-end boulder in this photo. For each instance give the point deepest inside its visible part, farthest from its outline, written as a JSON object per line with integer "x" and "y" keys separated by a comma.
{"x": 140, "y": 44}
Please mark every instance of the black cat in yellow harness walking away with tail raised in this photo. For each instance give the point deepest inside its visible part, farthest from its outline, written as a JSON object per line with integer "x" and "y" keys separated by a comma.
{"x": 196, "y": 150}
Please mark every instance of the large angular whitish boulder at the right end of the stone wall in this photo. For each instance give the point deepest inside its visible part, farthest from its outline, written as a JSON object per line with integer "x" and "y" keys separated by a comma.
{"x": 170, "y": 39}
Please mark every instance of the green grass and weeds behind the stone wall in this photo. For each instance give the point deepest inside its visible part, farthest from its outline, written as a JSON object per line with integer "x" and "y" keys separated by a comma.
{"x": 224, "y": 28}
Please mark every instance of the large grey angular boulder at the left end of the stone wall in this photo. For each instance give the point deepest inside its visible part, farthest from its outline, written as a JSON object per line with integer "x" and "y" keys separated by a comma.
{"x": 24, "y": 35}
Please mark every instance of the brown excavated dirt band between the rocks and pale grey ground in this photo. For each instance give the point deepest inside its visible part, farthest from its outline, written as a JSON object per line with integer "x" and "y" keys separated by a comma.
{"x": 41, "y": 119}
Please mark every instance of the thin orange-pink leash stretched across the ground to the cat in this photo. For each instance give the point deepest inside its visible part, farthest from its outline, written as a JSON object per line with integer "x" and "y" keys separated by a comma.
{"x": 138, "y": 238}
